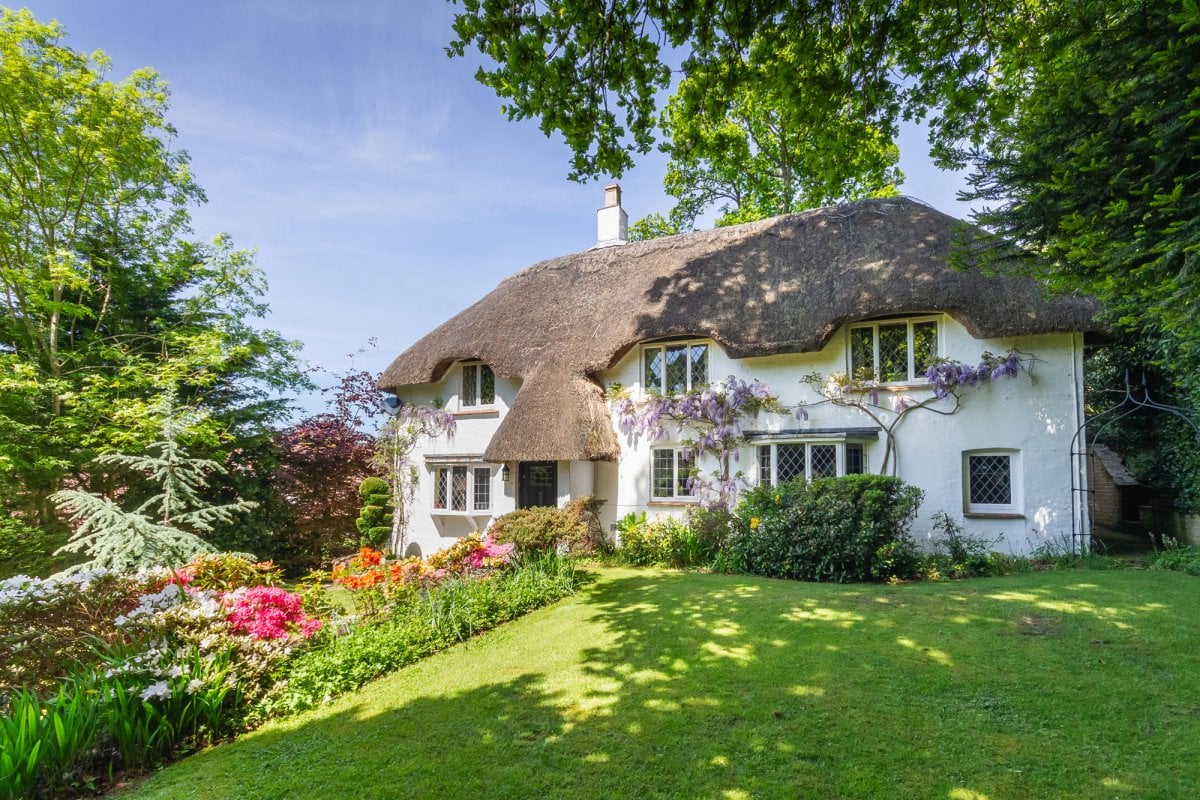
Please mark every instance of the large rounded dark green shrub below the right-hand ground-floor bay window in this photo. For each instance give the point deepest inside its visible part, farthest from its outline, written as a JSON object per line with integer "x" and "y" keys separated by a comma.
{"x": 841, "y": 530}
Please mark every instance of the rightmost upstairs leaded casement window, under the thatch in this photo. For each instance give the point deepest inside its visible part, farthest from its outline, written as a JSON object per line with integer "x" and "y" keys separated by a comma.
{"x": 893, "y": 351}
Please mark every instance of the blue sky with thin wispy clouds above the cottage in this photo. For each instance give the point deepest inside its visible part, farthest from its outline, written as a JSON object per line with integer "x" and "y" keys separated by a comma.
{"x": 380, "y": 184}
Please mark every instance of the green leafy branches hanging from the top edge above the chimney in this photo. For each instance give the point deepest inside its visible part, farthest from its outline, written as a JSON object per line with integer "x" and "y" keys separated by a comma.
{"x": 597, "y": 75}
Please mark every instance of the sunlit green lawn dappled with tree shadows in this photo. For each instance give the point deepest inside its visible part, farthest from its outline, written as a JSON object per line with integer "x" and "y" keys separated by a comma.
{"x": 1069, "y": 684}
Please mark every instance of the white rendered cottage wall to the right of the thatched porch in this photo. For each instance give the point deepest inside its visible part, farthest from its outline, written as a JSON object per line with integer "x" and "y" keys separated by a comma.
{"x": 1036, "y": 418}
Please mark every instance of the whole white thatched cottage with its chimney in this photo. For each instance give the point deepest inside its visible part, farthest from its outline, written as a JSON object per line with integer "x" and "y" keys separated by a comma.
{"x": 526, "y": 371}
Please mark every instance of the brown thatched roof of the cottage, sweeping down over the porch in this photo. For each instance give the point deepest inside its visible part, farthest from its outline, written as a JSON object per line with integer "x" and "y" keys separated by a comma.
{"x": 778, "y": 286}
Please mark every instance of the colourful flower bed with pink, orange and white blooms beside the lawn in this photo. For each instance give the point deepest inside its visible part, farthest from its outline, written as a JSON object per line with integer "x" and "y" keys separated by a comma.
{"x": 107, "y": 673}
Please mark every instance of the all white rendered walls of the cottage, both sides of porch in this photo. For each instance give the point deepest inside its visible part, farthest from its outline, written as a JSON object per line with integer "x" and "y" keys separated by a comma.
{"x": 1036, "y": 418}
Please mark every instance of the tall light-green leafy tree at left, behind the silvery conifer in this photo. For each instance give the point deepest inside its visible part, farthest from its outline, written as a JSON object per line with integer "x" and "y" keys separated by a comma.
{"x": 105, "y": 302}
